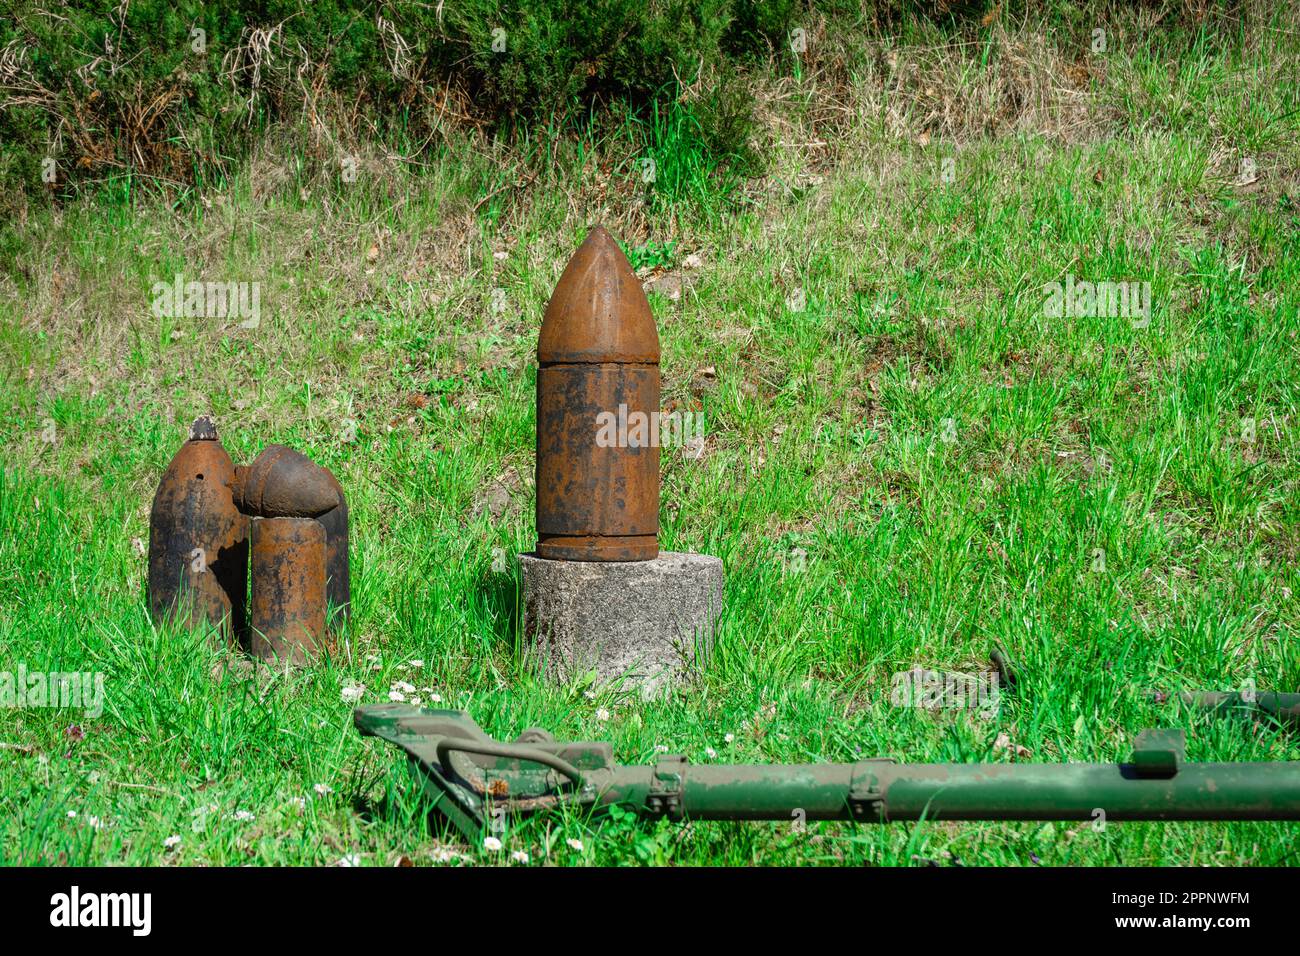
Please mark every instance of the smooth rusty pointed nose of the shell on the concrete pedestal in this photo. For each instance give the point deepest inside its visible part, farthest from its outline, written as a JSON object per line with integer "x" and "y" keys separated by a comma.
{"x": 599, "y": 312}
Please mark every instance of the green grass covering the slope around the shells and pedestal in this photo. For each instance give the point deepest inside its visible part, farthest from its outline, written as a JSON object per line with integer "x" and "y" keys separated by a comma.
{"x": 951, "y": 461}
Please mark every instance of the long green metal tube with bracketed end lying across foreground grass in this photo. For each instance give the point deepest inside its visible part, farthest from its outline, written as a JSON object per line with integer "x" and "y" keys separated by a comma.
{"x": 469, "y": 776}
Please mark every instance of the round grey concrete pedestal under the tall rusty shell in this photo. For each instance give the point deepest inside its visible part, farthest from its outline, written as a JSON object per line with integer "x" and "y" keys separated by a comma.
{"x": 644, "y": 621}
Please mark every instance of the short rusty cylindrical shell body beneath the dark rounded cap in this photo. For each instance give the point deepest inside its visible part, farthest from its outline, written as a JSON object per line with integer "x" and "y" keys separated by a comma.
{"x": 288, "y": 589}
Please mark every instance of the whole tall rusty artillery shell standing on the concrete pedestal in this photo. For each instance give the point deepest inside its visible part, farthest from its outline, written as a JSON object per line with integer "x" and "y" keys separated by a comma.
{"x": 597, "y": 383}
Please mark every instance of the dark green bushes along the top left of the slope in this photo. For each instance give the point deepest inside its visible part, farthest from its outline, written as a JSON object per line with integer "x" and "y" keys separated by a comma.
{"x": 107, "y": 88}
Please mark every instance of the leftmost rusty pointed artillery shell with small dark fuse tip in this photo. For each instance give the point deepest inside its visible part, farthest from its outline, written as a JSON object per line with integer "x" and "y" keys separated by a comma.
{"x": 198, "y": 538}
